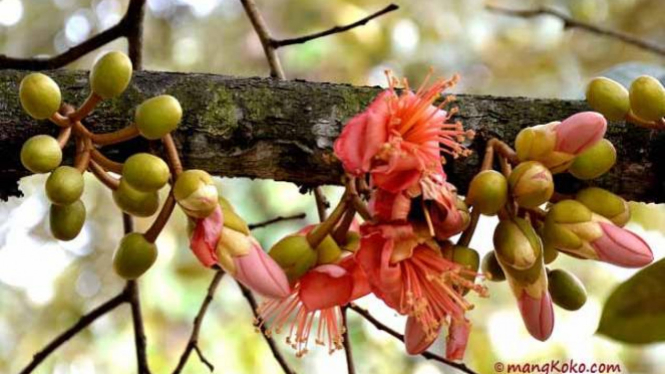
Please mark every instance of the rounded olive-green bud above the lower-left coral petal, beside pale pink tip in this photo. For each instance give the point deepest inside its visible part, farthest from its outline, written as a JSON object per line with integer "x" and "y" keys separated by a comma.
{"x": 294, "y": 254}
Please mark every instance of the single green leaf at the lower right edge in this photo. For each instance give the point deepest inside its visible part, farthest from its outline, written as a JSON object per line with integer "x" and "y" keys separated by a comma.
{"x": 635, "y": 312}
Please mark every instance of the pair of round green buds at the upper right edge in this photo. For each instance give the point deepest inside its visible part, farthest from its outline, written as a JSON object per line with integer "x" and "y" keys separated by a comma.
{"x": 643, "y": 103}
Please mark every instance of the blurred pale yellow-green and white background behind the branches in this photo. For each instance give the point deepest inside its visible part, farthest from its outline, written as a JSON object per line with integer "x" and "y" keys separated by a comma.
{"x": 46, "y": 285}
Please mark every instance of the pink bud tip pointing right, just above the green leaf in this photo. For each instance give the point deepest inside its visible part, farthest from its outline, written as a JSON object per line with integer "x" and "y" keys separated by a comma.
{"x": 621, "y": 247}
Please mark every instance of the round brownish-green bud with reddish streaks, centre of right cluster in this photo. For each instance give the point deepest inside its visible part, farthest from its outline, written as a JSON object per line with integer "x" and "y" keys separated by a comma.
{"x": 531, "y": 184}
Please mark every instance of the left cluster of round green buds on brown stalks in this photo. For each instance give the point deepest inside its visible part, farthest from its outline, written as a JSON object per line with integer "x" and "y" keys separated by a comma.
{"x": 142, "y": 174}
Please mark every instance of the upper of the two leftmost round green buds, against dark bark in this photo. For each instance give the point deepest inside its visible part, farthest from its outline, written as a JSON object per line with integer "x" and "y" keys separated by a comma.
{"x": 39, "y": 95}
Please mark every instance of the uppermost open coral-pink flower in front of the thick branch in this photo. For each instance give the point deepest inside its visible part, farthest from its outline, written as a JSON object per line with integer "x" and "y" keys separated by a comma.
{"x": 398, "y": 137}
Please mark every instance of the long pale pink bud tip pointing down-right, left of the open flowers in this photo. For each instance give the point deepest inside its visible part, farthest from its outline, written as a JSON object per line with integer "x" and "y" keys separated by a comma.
{"x": 261, "y": 273}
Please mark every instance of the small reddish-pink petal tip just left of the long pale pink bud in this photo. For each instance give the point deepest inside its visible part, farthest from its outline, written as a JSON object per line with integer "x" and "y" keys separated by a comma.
{"x": 205, "y": 236}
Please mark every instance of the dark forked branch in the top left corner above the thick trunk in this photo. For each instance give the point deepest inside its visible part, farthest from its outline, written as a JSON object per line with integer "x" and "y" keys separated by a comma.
{"x": 129, "y": 26}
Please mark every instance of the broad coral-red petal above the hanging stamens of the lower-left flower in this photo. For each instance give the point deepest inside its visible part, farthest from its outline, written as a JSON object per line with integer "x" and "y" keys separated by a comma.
{"x": 325, "y": 286}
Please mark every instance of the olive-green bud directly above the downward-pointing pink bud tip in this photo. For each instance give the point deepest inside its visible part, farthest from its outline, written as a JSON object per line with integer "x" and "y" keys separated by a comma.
{"x": 516, "y": 243}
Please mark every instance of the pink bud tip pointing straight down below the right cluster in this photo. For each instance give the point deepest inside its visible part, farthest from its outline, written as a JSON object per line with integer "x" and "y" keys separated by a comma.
{"x": 538, "y": 314}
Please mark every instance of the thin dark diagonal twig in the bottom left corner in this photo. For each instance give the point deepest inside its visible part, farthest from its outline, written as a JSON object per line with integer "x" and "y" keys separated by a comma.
{"x": 79, "y": 326}
